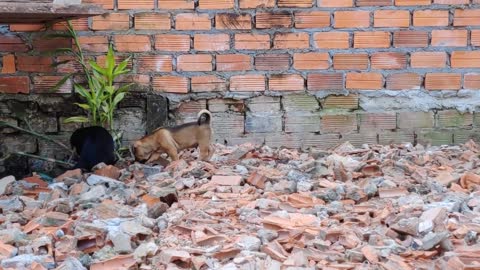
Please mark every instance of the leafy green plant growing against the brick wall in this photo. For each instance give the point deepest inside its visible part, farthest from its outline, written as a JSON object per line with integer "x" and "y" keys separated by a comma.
{"x": 101, "y": 96}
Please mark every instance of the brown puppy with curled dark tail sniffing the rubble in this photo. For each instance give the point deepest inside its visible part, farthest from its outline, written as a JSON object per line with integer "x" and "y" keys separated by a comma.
{"x": 171, "y": 140}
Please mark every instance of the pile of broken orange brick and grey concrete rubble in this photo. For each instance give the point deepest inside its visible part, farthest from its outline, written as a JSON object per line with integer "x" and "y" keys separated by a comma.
{"x": 376, "y": 207}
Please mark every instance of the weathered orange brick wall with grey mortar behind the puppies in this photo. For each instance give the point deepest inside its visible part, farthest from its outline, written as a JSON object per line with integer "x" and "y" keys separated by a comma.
{"x": 294, "y": 73}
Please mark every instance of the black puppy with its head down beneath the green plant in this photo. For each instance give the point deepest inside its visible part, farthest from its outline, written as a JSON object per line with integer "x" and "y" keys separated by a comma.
{"x": 94, "y": 145}
